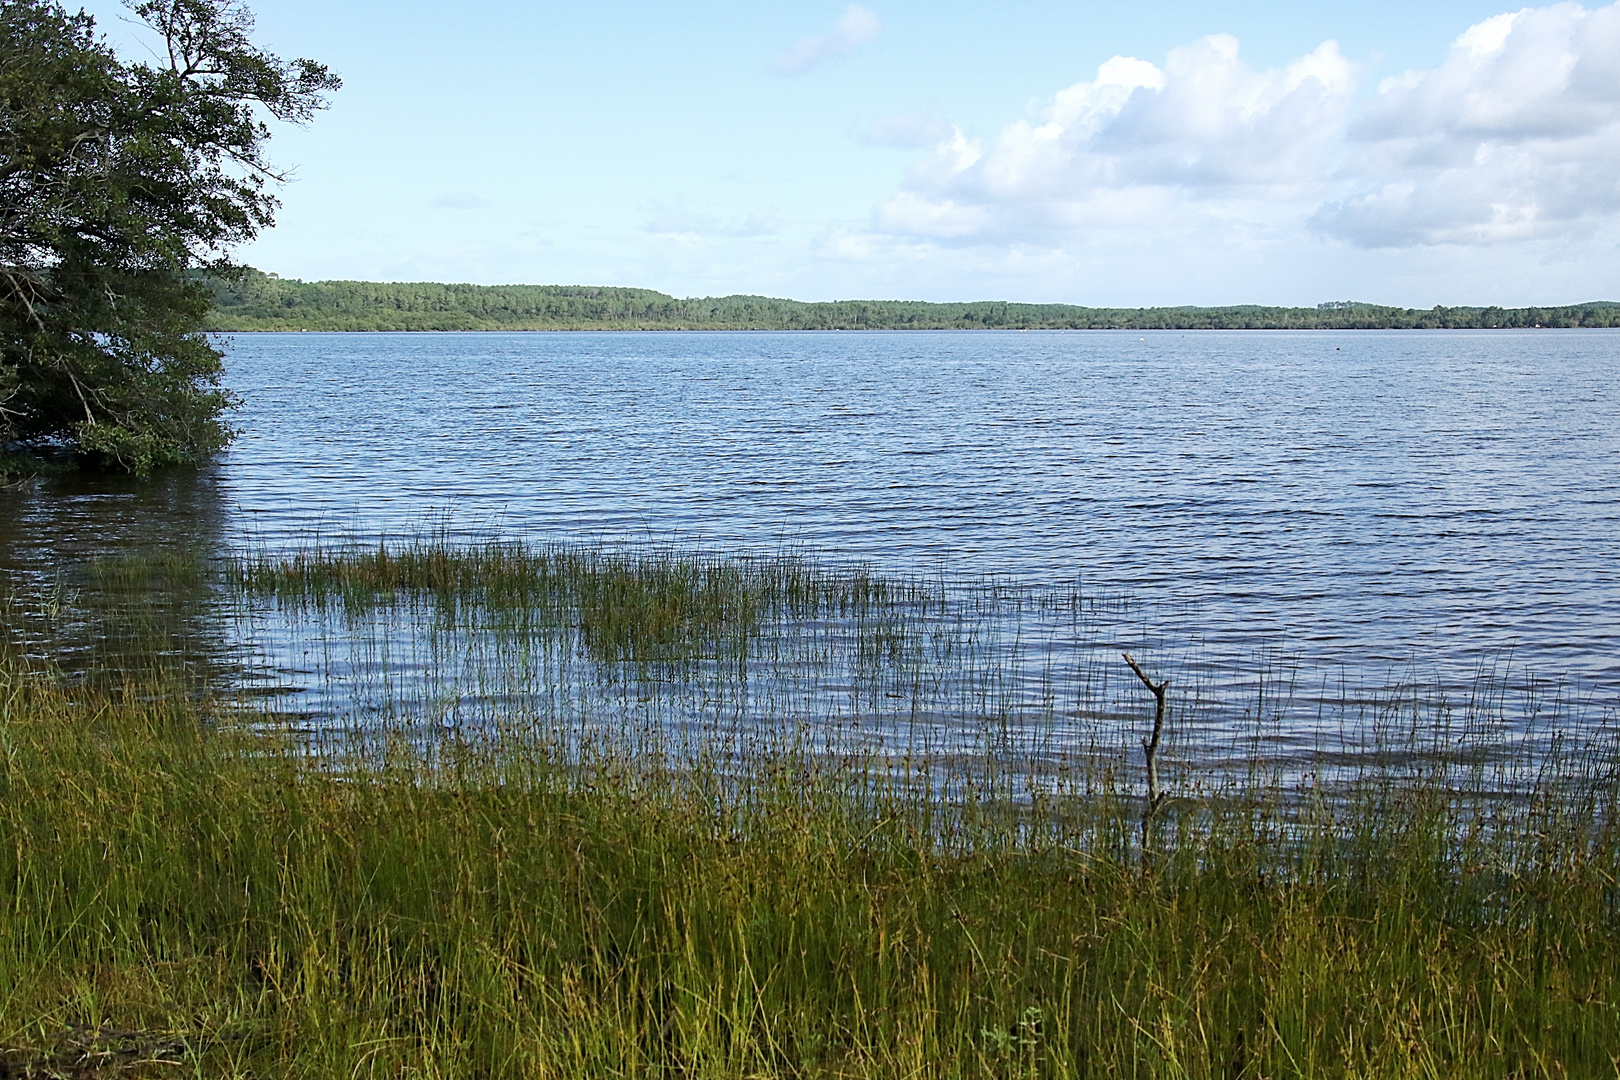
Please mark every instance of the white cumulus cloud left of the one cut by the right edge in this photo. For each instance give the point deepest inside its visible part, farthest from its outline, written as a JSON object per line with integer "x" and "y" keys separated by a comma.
{"x": 1138, "y": 143}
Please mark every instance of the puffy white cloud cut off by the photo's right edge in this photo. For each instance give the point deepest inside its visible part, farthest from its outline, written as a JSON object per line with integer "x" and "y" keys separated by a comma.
{"x": 1514, "y": 135}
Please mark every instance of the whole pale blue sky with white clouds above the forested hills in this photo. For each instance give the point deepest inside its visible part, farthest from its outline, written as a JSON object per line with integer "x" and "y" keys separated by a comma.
{"x": 1114, "y": 155}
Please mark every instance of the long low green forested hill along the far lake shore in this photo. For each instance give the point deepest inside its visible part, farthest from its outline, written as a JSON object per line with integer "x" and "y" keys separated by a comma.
{"x": 265, "y": 302}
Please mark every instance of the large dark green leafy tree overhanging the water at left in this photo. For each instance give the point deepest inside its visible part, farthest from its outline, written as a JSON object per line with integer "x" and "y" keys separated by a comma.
{"x": 121, "y": 184}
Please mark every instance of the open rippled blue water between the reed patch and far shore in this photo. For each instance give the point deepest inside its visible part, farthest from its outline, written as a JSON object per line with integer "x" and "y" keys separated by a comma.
{"x": 1328, "y": 511}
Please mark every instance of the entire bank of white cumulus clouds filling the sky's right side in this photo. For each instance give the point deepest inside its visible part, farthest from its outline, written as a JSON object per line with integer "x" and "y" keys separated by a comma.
{"x": 1516, "y": 135}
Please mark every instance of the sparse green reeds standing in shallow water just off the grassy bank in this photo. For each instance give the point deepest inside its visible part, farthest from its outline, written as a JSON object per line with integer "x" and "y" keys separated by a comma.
{"x": 1013, "y": 678}
